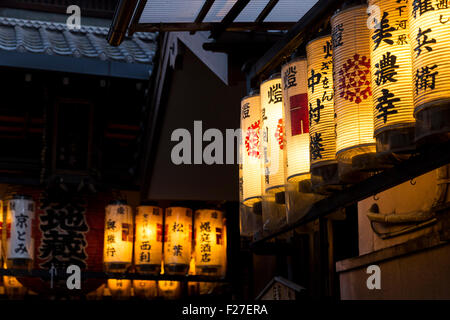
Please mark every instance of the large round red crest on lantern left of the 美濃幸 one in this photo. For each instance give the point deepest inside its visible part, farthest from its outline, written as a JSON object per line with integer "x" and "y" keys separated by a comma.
{"x": 354, "y": 79}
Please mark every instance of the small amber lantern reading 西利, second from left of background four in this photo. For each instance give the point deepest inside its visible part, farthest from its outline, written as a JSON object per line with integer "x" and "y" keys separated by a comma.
{"x": 148, "y": 244}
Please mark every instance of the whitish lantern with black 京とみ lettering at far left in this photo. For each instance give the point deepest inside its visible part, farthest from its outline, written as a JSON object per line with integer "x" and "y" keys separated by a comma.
{"x": 20, "y": 222}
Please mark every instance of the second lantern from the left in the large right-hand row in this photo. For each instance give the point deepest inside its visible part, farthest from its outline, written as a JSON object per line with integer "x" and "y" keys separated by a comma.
{"x": 273, "y": 134}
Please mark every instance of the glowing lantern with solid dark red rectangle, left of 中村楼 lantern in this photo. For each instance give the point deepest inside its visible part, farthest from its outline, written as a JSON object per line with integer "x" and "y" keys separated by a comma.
{"x": 295, "y": 106}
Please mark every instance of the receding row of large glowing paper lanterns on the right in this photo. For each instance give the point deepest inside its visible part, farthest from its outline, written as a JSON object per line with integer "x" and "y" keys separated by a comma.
{"x": 373, "y": 88}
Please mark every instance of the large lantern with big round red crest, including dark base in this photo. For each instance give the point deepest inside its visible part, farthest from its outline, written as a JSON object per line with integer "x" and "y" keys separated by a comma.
{"x": 353, "y": 92}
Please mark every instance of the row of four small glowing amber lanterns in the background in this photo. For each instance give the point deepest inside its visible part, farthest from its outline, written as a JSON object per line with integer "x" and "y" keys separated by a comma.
{"x": 208, "y": 249}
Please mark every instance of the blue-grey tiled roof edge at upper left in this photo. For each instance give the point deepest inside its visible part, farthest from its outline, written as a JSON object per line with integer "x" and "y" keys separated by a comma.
{"x": 52, "y": 38}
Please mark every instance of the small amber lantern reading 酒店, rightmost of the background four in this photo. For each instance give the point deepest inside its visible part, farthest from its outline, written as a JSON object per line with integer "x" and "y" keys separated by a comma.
{"x": 210, "y": 242}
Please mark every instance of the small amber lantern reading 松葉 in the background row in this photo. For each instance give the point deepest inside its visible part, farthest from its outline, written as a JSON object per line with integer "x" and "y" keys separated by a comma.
{"x": 178, "y": 244}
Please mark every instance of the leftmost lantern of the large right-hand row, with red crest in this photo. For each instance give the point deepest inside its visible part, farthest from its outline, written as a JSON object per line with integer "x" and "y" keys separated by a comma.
{"x": 251, "y": 150}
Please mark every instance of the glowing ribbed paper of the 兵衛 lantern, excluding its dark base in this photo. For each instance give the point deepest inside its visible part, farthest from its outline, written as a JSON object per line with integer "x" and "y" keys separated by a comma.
{"x": 429, "y": 31}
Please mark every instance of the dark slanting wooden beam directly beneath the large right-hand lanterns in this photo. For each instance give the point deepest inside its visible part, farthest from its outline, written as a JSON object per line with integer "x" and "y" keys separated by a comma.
{"x": 431, "y": 158}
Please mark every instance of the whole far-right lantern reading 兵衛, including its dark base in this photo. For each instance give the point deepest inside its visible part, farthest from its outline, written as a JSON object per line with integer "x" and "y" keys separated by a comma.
{"x": 429, "y": 33}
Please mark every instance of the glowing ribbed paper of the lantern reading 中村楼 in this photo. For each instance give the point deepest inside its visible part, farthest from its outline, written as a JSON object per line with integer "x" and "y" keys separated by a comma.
{"x": 321, "y": 101}
